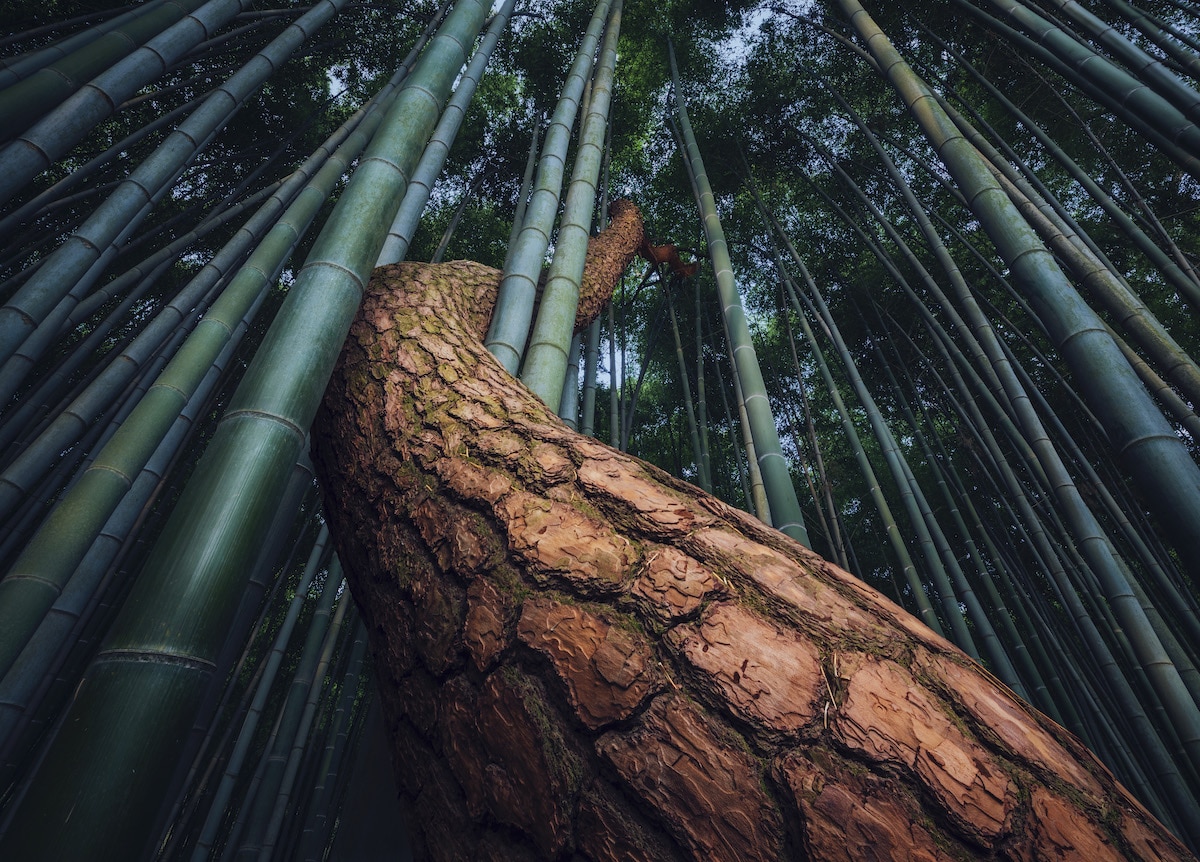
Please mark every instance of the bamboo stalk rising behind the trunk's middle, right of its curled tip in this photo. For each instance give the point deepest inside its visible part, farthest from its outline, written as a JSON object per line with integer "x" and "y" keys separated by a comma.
{"x": 785, "y": 507}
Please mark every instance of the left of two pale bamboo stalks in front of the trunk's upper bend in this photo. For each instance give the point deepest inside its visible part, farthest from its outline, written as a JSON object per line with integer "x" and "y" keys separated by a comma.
{"x": 509, "y": 330}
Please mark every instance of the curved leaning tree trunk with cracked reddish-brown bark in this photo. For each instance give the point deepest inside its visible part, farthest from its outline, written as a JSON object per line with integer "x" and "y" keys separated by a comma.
{"x": 581, "y": 657}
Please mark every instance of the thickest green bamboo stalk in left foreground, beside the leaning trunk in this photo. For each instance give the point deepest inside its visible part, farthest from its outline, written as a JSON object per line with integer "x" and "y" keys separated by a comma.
{"x": 133, "y": 704}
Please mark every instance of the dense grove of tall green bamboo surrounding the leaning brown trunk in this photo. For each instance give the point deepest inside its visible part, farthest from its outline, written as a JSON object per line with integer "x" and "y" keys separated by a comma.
{"x": 987, "y": 403}
